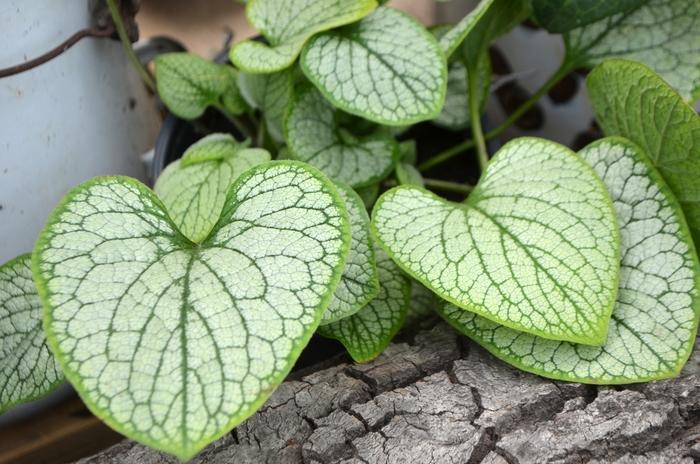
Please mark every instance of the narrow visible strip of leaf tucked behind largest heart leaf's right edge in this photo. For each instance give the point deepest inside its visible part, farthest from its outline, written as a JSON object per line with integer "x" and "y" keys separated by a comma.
{"x": 359, "y": 283}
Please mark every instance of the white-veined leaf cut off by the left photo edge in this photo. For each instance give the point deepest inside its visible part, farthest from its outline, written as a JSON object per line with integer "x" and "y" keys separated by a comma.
{"x": 28, "y": 370}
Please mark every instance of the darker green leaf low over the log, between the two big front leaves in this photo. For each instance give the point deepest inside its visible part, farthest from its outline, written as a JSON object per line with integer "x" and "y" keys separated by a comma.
{"x": 368, "y": 332}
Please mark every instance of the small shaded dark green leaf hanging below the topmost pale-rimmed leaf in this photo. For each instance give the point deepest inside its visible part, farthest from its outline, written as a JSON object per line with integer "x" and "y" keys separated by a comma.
{"x": 271, "y": 94}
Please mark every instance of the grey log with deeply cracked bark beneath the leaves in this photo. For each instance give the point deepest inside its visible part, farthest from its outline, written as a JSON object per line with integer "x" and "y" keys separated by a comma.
{"x": 441, "y": 399}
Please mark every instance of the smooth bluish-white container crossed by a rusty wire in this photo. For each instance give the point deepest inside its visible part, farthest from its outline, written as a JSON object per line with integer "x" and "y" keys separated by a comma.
{"x": 65, "y": 121}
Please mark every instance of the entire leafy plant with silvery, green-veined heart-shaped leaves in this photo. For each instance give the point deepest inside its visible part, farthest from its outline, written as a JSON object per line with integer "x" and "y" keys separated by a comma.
{"x": 175, "y": 312}
